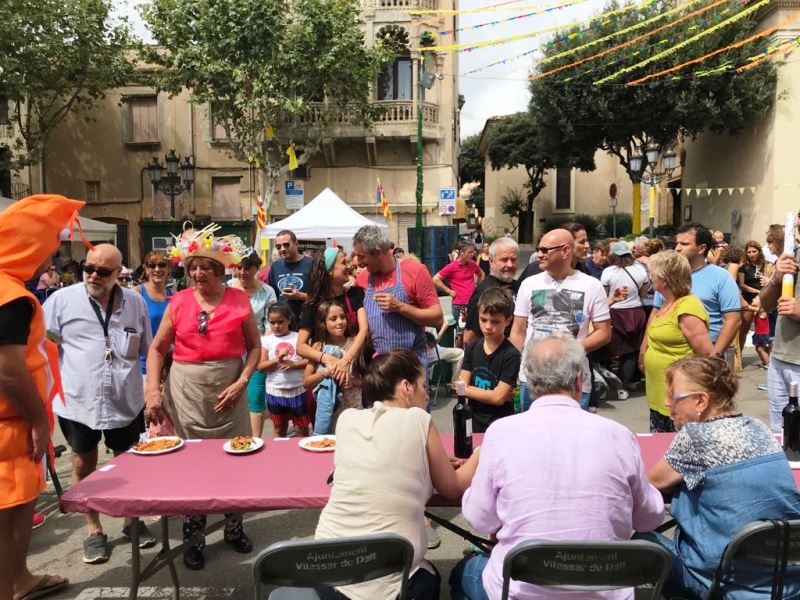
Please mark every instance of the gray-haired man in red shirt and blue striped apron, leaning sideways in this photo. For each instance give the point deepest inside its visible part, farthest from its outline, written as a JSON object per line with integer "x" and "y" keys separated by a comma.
{"x": 400, "y": 298}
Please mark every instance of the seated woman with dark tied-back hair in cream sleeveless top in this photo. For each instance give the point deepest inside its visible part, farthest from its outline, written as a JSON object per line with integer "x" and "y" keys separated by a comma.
{"x": 388, "y": 460}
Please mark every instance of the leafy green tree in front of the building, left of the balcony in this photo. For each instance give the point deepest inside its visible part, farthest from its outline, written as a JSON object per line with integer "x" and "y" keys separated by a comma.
{"x": 274, "y": 72}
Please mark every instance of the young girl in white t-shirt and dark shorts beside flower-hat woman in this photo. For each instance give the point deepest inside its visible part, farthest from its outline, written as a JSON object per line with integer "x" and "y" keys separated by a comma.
{"x": 285, "y": 389}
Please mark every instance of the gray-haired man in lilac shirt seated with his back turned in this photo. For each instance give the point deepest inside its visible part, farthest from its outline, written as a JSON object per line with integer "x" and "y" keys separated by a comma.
{"x": 533, "y": 482}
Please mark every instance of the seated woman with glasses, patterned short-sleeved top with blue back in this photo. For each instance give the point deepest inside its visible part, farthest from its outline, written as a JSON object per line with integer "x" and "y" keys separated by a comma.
{"x": 722, "y": 471}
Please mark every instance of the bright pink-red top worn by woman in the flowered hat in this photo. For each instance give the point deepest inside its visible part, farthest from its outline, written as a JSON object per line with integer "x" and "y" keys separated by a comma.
{"x": 224, "y": 337}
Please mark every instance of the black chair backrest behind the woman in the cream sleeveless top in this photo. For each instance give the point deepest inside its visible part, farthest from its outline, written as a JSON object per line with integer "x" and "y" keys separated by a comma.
{"x": 328, "y": 563}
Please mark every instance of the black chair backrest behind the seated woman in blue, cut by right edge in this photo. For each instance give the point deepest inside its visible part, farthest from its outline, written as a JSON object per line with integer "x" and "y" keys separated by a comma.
{"x": 761, "y": 544}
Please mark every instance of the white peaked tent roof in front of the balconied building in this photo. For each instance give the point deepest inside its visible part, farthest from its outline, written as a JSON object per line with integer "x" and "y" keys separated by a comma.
{"x": 326, "y": 216}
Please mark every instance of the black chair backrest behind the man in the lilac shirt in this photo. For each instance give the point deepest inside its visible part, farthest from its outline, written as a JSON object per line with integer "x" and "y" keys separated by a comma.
{"x": 589, "y": 566}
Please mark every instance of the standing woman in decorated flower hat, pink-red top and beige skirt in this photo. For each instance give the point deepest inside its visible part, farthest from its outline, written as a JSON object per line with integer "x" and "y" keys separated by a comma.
{"x": 212, "y": 326}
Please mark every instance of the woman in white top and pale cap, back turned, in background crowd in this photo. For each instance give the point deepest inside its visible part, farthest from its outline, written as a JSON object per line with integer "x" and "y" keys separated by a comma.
{"x": 625, "y": 281}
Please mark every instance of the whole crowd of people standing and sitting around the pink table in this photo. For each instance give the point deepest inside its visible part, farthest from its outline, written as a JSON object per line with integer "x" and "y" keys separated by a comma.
{"x": 341, "y": 344}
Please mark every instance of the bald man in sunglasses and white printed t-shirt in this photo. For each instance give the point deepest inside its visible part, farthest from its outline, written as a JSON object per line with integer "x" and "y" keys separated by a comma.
{"x": 560, "y": 299}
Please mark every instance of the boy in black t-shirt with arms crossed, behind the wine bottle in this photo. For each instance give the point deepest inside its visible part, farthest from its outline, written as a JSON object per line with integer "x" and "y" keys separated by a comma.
{"x": 491, "y": 363}
